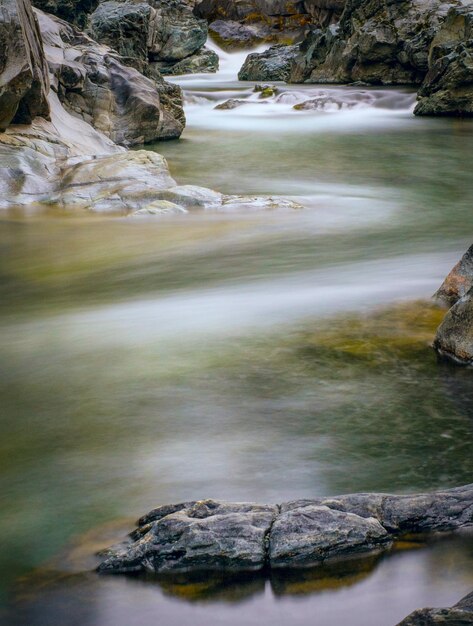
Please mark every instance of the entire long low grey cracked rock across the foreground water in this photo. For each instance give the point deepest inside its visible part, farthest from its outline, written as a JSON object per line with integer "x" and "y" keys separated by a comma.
{"x": 214, "y": 535}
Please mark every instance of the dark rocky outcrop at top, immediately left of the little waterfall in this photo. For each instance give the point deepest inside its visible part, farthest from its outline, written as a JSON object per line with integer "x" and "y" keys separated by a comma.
{"x": 161, "y": 32}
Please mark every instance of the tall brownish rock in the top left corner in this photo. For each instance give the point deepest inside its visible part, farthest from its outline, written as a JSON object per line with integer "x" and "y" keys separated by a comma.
{"x": 24, "y": 82}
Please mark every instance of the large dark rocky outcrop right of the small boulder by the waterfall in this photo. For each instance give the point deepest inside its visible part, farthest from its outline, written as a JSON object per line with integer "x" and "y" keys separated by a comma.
{"x": 376, "y": 41}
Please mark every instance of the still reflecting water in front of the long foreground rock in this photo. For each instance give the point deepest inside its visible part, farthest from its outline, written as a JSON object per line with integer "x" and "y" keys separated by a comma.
{"x": 373, "y": 592}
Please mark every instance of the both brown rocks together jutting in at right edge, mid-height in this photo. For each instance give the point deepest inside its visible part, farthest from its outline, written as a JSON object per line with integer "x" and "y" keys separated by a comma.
{"x": 454, "y": 338}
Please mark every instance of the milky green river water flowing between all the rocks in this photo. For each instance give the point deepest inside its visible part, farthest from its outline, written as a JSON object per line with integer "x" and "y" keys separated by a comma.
{"x": 241, "y": 356}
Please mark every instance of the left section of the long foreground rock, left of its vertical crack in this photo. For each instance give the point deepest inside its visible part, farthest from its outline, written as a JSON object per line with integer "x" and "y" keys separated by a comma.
{"x": 208, "y": 535}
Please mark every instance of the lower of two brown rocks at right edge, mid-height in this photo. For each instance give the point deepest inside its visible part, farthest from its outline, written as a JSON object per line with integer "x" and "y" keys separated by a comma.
{"x": 454, "y": 338}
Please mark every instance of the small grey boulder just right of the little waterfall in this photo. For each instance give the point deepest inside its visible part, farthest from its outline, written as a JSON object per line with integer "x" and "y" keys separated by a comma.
{"x": 273, "y": 64}
